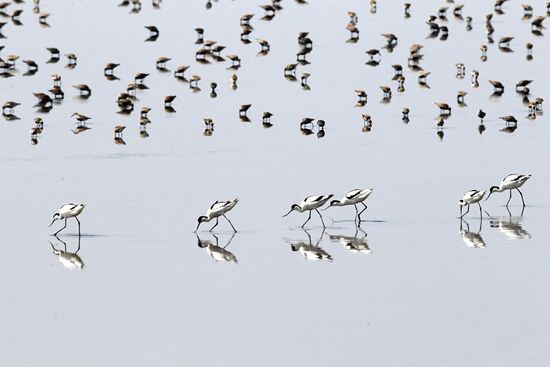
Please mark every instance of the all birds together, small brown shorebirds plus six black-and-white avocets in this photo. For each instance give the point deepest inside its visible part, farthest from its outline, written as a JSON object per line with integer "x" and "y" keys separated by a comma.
{"x": 210, "y": 51}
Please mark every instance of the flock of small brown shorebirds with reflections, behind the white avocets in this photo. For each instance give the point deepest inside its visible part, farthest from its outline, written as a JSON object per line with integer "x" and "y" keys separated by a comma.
{"x": 211, "y": 51}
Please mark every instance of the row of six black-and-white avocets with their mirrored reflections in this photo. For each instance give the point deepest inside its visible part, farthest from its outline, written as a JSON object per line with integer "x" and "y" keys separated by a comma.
{"x": 309, "y": 250}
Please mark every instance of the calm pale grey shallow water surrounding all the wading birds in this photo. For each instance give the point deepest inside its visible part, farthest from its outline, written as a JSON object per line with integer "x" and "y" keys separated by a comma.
{"x": 431, "y": 291}
